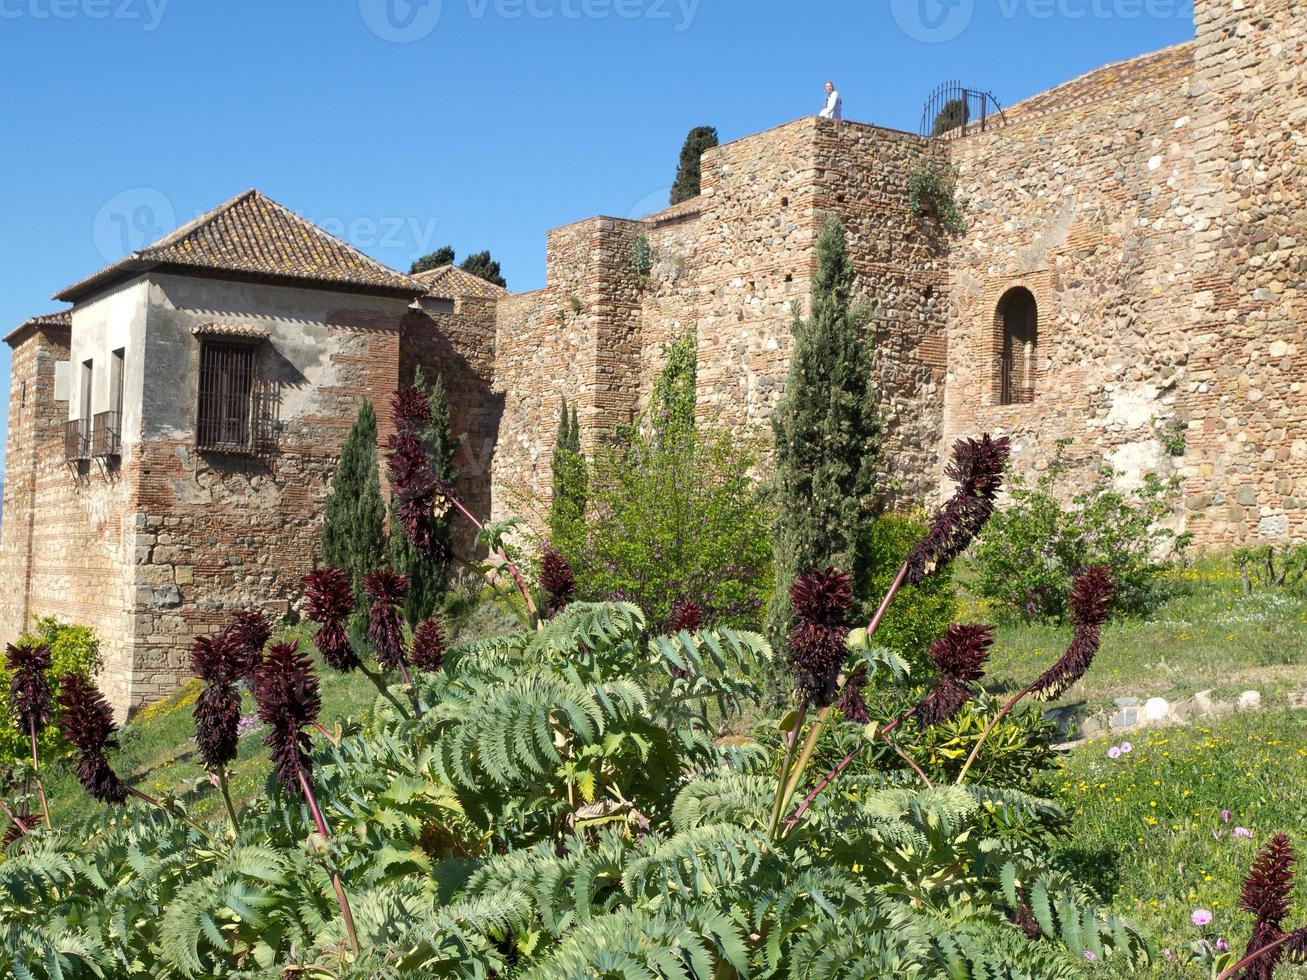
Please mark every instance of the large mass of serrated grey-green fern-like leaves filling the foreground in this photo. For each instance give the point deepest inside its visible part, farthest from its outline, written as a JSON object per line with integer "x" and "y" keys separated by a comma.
{"x": 565, "y": 804}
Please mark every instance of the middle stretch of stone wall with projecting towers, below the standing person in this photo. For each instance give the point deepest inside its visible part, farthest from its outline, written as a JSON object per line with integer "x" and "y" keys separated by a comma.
{"x": 733, "y": 267}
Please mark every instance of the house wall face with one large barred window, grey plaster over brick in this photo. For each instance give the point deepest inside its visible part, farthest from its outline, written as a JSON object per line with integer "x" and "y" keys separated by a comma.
{"x": 216, "y": 534}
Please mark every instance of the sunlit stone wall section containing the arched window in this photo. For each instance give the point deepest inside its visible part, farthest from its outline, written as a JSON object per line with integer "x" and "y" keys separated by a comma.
{"x": 1087, "y": 204}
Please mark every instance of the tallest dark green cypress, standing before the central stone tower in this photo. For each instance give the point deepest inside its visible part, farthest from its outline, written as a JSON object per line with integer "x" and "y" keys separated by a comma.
{"x": 827, "y": 436}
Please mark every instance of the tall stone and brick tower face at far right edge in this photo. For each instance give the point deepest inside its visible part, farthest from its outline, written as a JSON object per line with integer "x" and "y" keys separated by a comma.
{"x": 1246, "y": 384}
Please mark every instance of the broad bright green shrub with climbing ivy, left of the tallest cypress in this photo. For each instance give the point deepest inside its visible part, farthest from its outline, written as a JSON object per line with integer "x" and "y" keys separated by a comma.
{"x": 675, "y": 513}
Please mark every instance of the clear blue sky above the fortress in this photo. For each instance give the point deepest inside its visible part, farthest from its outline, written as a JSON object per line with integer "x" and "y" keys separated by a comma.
{"x": 480, "y": 123}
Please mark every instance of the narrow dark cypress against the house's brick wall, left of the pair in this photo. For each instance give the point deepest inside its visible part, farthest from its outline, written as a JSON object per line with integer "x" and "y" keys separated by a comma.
{"x": 354, "y": 534}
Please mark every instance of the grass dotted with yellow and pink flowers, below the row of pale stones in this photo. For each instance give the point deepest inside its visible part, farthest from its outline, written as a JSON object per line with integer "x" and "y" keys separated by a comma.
{"x": 1150, "y": 829}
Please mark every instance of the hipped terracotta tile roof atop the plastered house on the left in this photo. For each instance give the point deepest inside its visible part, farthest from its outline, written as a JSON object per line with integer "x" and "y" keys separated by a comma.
{"x": 253, "y": 236}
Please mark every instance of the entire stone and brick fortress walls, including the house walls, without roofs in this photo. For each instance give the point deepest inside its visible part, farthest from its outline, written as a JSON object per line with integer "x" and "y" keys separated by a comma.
{"x": 1153, "y": 215}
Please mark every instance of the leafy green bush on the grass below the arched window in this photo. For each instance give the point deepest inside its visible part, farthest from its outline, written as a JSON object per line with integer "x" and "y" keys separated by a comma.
{"x": 1036, "y": 547}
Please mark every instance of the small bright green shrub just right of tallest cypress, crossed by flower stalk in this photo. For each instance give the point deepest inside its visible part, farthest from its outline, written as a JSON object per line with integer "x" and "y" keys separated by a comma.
{"x": 922, "y": 612}
